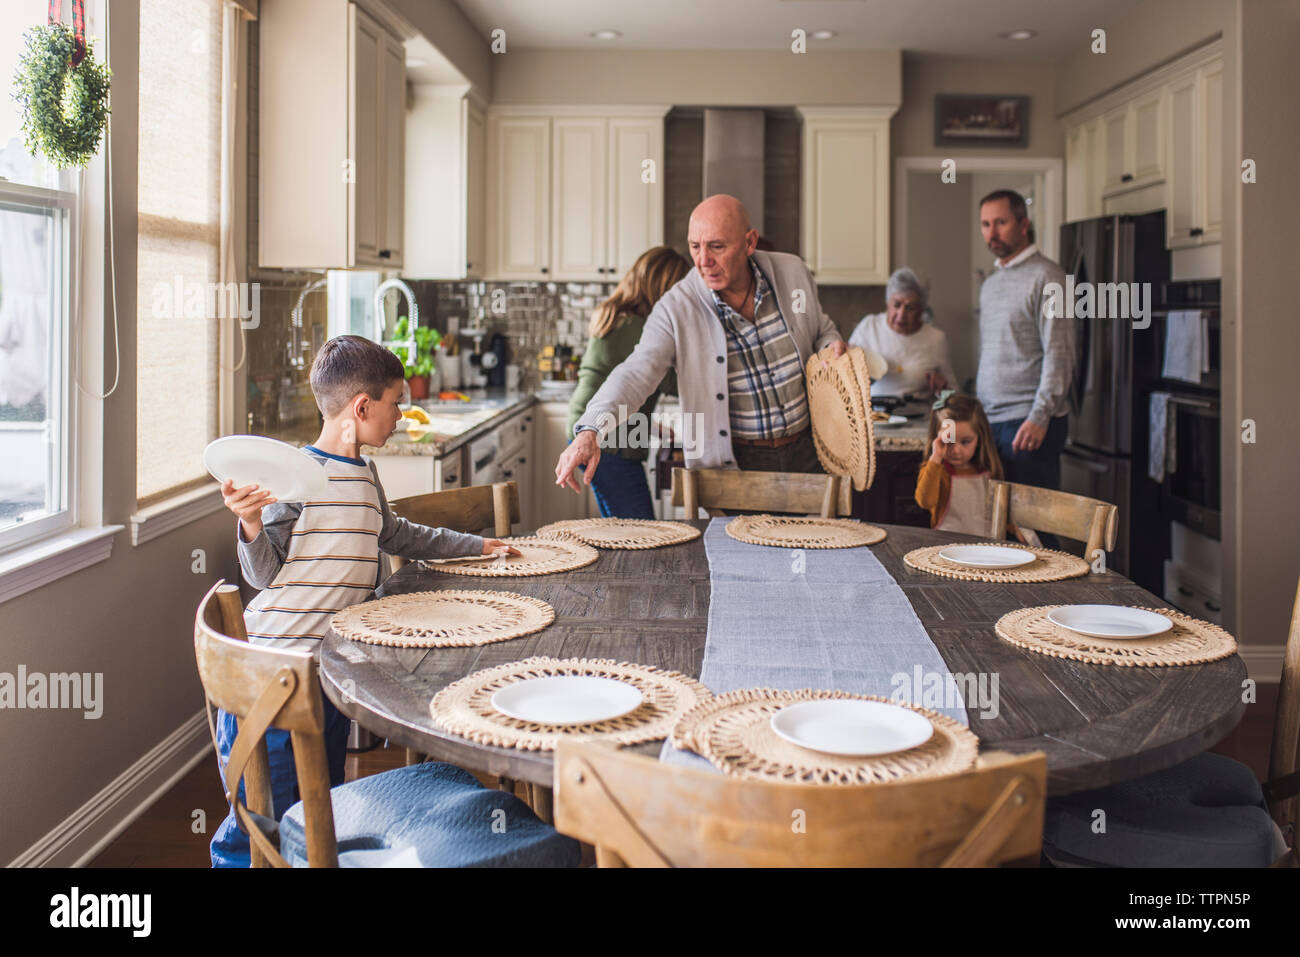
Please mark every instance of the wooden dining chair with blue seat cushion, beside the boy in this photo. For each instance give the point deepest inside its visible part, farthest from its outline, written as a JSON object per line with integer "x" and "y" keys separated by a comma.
{"x": 430, "y": 815}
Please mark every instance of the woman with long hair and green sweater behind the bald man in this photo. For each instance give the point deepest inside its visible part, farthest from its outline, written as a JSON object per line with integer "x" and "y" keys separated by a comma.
{"x": 621, "y": 486}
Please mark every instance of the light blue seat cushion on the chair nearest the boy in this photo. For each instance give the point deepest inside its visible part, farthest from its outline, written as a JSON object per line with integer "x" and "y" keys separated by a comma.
{"x": 431, "y": 816}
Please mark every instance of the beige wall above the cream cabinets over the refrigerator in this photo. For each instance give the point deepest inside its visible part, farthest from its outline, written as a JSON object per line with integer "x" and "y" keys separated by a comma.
{"x": 1145, "y": 38}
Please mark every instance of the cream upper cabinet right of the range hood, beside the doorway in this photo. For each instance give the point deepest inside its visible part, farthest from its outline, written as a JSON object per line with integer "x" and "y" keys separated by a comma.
{"x": 846, "y": 194}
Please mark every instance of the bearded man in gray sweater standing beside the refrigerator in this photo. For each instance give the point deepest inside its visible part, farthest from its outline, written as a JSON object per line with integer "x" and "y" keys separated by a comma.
{"x": 1026, "y": 357}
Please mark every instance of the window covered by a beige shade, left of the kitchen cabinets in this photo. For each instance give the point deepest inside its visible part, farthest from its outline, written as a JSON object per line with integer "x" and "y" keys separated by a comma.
{"x": 180, "y": 300}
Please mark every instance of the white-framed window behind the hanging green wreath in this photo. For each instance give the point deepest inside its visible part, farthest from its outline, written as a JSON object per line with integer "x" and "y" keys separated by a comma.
{"x": 38, "y": 216}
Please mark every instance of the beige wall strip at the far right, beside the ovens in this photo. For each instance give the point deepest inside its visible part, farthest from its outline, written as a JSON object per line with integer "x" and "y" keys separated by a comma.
{"x": 1262, "y": 344}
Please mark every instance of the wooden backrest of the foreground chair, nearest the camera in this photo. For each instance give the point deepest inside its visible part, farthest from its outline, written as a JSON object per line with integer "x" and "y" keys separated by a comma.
{"x": 639, "y": 812}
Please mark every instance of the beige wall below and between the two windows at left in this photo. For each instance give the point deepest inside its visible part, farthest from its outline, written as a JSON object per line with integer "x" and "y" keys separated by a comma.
{"x": 131, "y": 617}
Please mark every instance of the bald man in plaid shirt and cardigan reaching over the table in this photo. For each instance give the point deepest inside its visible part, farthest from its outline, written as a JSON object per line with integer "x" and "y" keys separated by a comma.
{"x": 739, "y": 331}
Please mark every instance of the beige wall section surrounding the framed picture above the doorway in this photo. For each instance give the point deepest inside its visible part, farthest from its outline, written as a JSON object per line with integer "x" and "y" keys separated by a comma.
{"x": 924, "y": 76}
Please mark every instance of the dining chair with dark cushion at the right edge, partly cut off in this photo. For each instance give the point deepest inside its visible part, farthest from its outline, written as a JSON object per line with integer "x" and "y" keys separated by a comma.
{"x": 1207, "y": 812}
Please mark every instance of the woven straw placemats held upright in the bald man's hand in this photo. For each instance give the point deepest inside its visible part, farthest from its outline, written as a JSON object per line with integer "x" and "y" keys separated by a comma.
{"x": 839, "y": 408}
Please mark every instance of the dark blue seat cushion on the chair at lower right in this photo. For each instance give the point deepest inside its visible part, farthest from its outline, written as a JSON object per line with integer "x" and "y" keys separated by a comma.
{"x": 1208, "y": 812}
